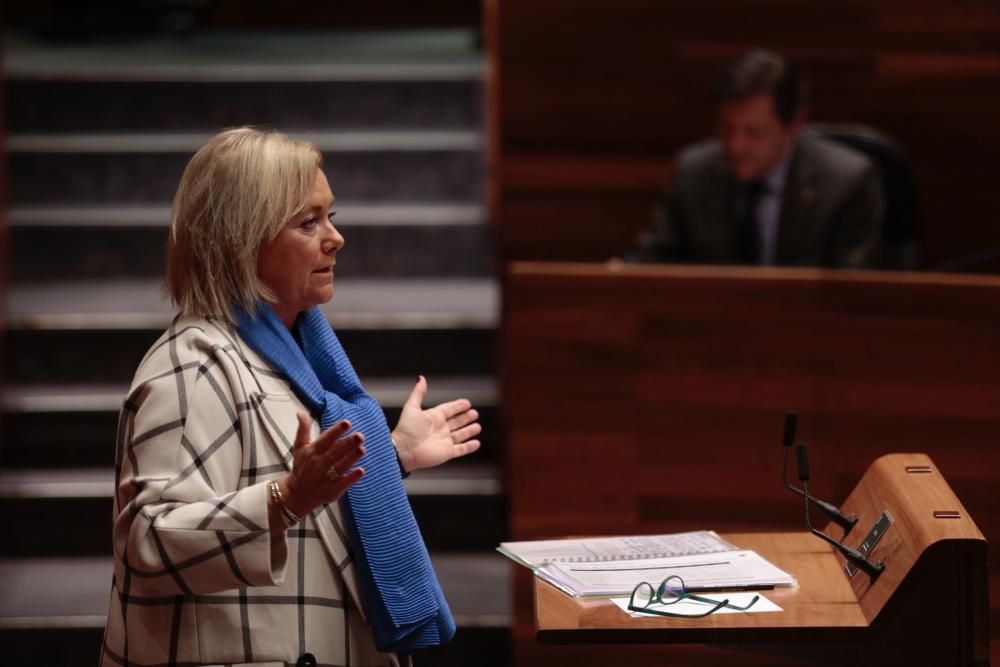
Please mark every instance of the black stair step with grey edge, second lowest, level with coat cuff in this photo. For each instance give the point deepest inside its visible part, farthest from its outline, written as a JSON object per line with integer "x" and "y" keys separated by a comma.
{"x": 459, "y": 507}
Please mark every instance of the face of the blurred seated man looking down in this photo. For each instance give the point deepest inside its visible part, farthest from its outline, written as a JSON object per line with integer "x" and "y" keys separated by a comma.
{"x": 753, "y": 137}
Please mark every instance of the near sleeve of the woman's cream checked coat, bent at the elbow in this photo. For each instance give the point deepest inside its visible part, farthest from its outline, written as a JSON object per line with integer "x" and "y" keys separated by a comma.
{"x": 184, "y": 522}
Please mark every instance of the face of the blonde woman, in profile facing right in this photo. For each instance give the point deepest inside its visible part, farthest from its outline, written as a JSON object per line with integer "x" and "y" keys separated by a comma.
{"x": 298, "y": 264}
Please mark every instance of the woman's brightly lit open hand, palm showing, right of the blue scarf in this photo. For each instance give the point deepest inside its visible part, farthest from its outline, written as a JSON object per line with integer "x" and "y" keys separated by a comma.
{"x": 426, "y": 438}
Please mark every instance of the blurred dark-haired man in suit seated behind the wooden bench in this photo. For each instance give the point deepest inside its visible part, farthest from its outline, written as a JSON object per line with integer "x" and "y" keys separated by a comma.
{"x": 767, "y": 192}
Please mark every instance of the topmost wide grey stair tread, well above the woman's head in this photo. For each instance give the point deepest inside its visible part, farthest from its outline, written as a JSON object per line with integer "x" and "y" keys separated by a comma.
{"x": 254, "y": 56}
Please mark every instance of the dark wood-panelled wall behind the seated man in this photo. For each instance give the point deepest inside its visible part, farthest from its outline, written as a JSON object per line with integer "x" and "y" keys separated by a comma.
{"x": 603, "y": 83}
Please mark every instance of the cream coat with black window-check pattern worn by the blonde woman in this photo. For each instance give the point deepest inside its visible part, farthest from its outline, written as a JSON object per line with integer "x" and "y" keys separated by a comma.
{"x": 198, "y": 580}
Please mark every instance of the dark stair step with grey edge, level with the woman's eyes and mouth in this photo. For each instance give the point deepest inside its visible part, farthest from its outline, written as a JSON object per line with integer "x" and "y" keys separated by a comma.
{"x": 57, "y": 243}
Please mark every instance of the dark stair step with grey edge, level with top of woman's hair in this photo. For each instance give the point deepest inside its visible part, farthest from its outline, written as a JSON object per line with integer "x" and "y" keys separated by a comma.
{"x": 379, "y": 166}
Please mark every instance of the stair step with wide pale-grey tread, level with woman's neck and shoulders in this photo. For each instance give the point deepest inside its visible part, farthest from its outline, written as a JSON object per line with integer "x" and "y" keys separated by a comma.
{"x": 435, "y": 327}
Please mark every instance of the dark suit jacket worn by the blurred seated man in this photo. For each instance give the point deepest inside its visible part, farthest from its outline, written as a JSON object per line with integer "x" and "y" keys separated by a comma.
{"x": 831, "y": 211}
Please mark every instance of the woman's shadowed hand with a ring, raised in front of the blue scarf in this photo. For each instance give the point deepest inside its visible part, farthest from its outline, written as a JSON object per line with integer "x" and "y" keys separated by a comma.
{"x": 321, "y": 472}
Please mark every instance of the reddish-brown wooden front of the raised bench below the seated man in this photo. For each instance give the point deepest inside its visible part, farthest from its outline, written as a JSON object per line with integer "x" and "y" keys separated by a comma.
{"x": 652, "y": 399}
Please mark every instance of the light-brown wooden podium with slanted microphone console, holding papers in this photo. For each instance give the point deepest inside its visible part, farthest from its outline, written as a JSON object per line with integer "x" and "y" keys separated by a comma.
{"x": 928, "y": 607}
